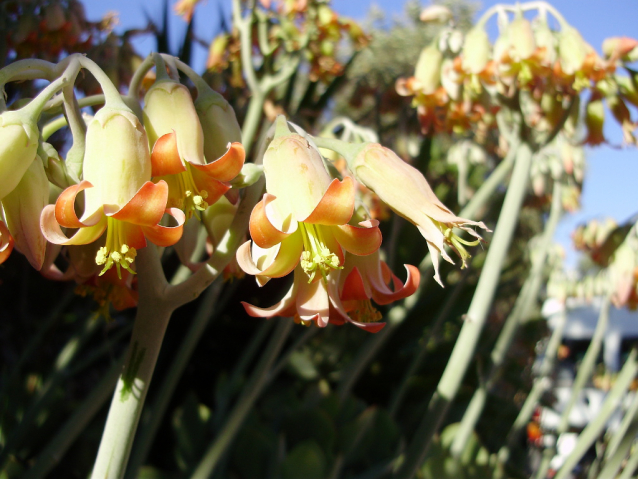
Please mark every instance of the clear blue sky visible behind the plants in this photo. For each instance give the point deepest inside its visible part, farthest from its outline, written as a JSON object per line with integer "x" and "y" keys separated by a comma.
{"x": 610, "y": 187}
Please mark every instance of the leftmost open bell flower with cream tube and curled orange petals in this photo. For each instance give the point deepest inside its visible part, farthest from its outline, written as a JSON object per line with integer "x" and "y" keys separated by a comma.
{"x": 119, "y": 197}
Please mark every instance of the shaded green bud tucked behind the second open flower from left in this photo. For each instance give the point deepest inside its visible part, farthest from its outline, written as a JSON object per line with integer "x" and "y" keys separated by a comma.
{"x": 219, "y": 123}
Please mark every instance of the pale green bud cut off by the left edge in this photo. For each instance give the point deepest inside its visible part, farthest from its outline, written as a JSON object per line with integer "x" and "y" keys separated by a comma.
{"x": 18, "y": 149}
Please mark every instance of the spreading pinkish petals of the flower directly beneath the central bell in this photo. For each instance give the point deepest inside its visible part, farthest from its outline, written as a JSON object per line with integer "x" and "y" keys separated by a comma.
{"x": 316, "y": 301}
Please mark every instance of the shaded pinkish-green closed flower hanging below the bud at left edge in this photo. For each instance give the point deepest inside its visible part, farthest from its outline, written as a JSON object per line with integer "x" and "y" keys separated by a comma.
{"x": 22, "y": 209}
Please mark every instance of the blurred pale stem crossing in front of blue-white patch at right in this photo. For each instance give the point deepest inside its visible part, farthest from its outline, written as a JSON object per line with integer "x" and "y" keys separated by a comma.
{"x": 586, "y": 368}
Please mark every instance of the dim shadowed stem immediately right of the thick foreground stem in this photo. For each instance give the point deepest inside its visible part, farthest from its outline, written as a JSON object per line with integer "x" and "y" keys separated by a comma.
{"x": 148, "y": 431}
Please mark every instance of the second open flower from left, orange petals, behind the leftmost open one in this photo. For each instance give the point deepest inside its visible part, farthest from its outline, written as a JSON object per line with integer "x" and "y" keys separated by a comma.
{"x": 177, "y": 141}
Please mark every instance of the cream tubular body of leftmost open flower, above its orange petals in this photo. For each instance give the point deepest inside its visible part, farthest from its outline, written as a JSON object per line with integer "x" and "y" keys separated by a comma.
{"x": 116, "y": 161}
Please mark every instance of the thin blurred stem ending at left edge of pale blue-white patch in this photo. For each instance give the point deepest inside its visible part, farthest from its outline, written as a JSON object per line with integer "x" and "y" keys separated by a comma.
{"x": 541, "y": 384}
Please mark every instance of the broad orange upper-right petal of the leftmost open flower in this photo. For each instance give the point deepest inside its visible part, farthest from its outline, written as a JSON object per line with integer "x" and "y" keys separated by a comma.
{"x": 146, "y": 208}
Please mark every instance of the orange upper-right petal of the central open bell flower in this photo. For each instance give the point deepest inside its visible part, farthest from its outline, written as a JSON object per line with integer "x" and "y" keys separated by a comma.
{"x": 336, "y": 205}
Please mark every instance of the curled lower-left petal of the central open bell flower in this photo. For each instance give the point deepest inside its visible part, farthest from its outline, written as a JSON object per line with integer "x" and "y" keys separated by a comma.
{"x": 289, "y": 252}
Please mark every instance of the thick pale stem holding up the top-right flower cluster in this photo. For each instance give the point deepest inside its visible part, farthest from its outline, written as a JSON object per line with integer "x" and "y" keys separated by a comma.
{"x": 477, "y": 314}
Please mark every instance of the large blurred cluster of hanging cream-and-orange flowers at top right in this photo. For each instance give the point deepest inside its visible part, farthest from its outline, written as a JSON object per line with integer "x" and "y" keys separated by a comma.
{"x": 459, "y": 85}
